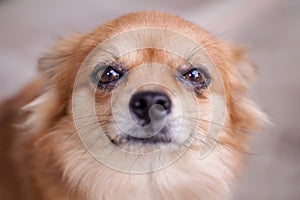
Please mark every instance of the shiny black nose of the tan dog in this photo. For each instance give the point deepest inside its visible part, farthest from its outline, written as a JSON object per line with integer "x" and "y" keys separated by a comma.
{"x": 141, "y": 102}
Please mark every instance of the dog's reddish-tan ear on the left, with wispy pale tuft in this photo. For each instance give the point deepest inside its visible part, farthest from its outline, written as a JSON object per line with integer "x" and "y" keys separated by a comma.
{"x": 55, "y": 68}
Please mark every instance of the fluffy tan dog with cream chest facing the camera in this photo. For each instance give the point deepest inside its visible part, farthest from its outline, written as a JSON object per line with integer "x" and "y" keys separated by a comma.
{"x": 147, "y": 106}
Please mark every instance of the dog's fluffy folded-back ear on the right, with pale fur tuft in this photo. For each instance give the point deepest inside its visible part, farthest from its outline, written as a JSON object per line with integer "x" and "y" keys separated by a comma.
{"x": 245, "y": 113}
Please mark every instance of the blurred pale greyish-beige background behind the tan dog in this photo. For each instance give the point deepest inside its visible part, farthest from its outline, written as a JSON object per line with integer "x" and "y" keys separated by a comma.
{"x": 269, "y": 30}
